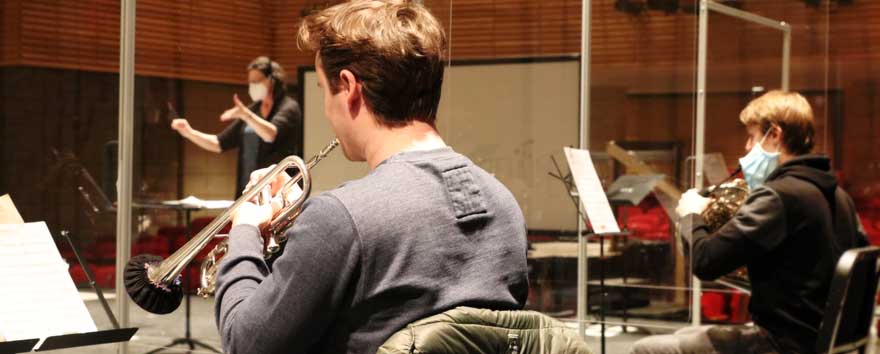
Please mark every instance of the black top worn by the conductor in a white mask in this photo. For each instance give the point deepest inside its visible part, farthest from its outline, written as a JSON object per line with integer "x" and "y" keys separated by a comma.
{"x": 286, "y": 116}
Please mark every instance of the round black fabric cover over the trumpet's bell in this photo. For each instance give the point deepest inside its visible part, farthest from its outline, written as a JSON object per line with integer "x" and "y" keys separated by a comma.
{"x": 154, "y": 298}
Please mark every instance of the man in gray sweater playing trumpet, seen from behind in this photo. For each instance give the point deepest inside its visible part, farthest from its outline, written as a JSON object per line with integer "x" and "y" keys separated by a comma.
{"x": 425, "y": 231}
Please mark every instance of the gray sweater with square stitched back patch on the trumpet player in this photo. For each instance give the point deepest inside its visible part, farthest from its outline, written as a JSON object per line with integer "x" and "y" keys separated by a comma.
{"x": 423, "y": 232}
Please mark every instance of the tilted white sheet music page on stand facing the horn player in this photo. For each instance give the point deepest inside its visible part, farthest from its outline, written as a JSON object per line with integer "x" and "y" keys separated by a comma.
{"x": 590, "y": 191}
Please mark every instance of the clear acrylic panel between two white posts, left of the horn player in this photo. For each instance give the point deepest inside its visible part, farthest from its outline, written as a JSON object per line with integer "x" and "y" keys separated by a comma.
{"x": 642, "y": 120}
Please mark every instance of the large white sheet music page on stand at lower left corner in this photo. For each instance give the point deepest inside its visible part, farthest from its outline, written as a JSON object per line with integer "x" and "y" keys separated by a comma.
{"x": 38, "y": 298}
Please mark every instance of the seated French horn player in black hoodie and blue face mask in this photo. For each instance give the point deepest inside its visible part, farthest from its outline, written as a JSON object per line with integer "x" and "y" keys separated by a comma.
{"x": 789, "y": 233}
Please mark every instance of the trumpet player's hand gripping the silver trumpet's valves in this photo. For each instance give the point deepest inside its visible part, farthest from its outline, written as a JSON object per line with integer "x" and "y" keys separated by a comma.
{"x": 260, "y": 213}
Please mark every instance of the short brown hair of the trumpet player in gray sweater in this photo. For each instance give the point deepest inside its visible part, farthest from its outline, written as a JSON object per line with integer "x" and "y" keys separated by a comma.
{"x": 394, "y": 48}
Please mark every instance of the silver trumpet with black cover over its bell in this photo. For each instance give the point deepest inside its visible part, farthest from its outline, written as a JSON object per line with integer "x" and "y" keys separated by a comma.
{"x": 154, "y": 284}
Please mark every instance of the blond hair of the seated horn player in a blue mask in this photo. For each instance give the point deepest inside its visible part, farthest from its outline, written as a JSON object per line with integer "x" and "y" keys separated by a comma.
{"x": 788, "y": 110}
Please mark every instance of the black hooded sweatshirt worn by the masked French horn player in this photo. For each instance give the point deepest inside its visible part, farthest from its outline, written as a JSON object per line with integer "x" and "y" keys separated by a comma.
{"x": 790, "y": 233}
